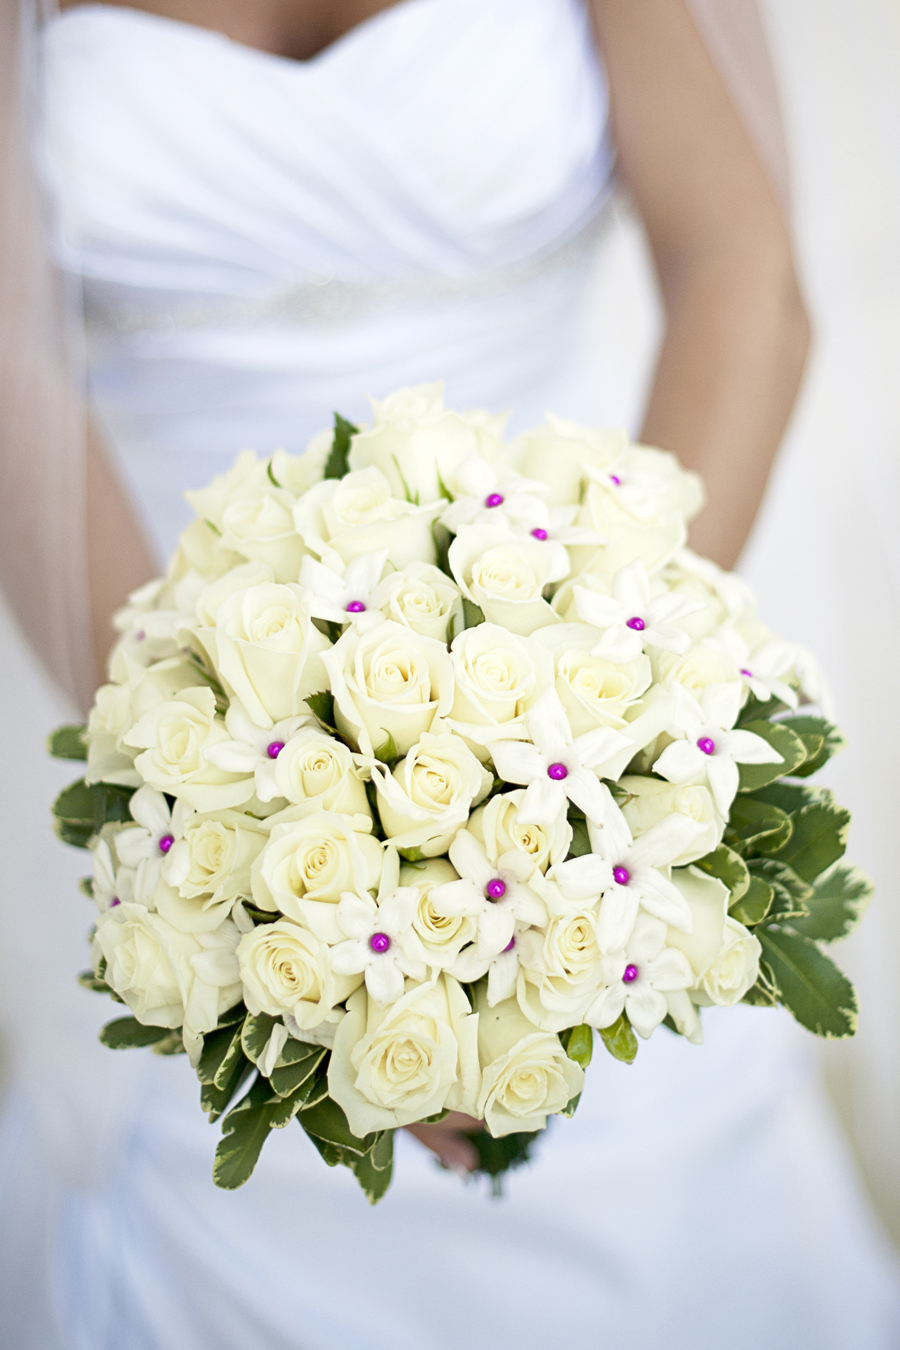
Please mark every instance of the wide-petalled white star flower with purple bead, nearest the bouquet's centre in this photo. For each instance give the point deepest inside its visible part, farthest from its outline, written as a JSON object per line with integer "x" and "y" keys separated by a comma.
{"x": 557, "y": 766}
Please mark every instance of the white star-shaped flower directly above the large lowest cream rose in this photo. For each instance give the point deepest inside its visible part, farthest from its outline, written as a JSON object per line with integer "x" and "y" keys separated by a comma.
{"x": 383, "y": 944}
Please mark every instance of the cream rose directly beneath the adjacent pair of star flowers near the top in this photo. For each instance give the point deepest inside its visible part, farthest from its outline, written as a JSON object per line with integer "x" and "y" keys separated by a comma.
{"x": 505, "y": 577}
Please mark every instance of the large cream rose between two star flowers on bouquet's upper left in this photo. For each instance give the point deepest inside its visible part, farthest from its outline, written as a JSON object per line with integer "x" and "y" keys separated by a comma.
{"x": 268, "y": 651}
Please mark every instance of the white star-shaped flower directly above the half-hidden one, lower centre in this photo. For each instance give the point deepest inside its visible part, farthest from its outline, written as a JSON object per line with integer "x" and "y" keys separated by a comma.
{"x": 495, "y": 894}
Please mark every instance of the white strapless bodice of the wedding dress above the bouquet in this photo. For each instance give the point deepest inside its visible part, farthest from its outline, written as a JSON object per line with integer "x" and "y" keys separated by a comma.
{"x": 264, "y": 240}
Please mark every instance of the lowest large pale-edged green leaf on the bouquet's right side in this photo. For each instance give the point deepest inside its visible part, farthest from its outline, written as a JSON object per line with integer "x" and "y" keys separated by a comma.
{"x": 812, "y": 986}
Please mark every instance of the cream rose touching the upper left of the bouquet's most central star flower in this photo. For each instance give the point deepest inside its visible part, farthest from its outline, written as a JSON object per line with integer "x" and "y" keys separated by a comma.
{"x": 497, "y": 680}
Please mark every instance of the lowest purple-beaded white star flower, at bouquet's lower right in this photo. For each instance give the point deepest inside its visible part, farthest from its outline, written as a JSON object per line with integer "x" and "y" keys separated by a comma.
{"x": 639, "y": 978}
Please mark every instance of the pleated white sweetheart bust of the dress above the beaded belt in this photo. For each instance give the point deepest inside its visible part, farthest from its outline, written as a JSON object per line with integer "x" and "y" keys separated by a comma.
{"x": 441, "y": 134}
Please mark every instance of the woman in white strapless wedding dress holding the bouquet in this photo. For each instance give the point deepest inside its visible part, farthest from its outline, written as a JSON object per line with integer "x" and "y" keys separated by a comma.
{"x": 272, "y": 210}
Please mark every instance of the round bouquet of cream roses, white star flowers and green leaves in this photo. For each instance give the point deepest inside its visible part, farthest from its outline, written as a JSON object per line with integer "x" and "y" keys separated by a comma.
{"x": 432, "y": 757}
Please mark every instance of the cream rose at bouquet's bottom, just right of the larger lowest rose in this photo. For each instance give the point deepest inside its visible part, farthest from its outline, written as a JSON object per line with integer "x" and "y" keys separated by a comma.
{"x": 527, "y": 1075}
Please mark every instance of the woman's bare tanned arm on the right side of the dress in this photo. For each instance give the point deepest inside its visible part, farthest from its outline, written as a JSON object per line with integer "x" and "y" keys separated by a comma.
{"x": 736, "y": 330}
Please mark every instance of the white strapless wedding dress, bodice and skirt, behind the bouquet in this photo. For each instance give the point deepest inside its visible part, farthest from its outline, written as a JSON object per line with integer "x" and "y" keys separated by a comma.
{"x": 264, "y": 242}
